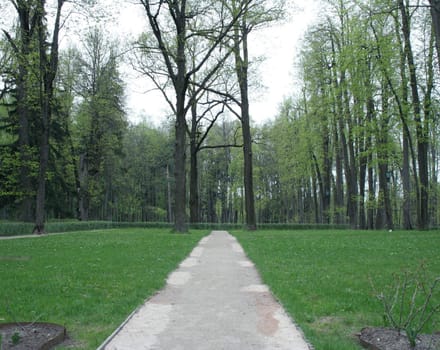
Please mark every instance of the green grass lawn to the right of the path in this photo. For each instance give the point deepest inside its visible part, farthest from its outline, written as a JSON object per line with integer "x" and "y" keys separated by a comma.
{"x": 323, "y": 277}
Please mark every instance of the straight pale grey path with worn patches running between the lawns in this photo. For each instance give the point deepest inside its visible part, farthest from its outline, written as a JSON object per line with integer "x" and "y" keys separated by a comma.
{"x": 215, "y": 300}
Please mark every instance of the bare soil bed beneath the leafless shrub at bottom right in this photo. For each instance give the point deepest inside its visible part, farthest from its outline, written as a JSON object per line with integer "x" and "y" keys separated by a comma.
{"x": 390, "y": 339}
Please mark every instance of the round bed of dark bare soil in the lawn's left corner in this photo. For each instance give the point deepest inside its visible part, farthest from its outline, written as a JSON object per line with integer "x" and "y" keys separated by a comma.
{"x": 31, "y": 336}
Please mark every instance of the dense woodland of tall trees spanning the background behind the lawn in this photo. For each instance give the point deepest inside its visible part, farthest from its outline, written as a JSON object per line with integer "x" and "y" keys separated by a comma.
{"x": 357, "y": 142}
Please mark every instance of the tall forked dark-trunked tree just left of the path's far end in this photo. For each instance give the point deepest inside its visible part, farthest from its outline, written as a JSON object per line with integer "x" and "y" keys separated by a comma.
{"x": 174, "y": 26}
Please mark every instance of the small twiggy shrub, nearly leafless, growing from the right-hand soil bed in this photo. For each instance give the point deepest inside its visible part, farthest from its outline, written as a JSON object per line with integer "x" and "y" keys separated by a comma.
{"x": 410, "y": 303}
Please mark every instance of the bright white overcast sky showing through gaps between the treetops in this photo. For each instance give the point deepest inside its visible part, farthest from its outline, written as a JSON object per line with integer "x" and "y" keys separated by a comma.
{"x": 278, "y": 44}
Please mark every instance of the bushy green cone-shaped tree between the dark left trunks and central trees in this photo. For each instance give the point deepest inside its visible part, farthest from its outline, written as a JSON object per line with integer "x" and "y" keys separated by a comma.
{"x": 101, "y": 121}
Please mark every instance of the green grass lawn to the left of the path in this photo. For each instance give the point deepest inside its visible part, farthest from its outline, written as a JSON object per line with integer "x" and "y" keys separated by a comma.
{"x": 87, "y": 281}
